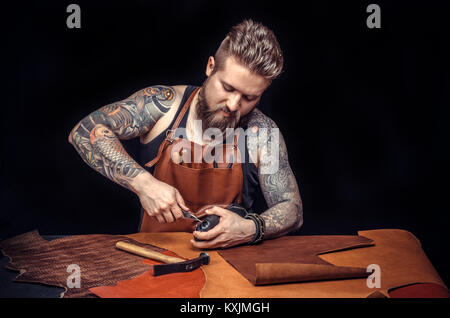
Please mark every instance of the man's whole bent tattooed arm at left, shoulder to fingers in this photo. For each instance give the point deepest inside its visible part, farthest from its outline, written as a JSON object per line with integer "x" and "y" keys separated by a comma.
{"x": 97, "y": 139}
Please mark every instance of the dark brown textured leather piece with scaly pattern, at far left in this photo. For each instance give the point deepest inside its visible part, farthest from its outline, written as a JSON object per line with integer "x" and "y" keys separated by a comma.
{"x": 46, "y": 262}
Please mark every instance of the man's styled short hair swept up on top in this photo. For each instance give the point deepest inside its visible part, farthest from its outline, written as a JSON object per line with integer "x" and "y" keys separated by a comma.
{"x": 254, "y": 46}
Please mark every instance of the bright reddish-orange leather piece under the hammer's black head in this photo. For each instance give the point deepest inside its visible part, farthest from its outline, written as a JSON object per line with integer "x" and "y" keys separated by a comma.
{"x": 176, "y": 285}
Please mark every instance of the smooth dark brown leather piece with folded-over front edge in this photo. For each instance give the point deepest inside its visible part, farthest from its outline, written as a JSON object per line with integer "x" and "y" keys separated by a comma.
{"x": 293, "y": 258}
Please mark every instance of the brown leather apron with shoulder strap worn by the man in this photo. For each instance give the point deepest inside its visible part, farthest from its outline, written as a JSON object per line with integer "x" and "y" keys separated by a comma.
{"x": 200, "y": 181}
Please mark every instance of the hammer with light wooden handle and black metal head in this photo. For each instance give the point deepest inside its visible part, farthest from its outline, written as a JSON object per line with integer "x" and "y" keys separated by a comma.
{"x": 173, "y": 264}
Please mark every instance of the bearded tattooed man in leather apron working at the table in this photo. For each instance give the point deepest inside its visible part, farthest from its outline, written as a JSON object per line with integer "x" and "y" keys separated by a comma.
{"x": 171, "y": 181}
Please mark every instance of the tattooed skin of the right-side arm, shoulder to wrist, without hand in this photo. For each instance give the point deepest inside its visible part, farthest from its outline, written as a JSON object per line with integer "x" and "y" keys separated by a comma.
{"x": 280, "y": 189}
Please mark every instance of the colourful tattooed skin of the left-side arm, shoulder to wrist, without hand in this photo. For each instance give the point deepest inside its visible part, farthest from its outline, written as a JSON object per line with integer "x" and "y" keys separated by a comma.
{"x": 97, "y": 137}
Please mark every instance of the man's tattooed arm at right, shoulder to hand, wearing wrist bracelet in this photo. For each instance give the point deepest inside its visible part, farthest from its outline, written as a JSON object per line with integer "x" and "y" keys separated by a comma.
{"x": 277, "y": 183}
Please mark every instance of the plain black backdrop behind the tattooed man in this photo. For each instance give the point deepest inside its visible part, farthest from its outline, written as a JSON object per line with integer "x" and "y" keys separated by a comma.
{"x": 364, "y": 112}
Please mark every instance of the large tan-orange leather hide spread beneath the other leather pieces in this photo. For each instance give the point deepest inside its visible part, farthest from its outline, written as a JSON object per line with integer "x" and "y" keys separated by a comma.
{"x": 391, "y": 247}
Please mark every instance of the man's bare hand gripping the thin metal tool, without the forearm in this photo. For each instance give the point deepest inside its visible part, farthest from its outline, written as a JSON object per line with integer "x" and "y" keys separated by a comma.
{"x": 159, "y": 199}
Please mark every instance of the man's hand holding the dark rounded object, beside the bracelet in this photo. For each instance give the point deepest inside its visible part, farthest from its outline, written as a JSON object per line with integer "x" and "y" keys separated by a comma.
{"x": 231, "y": 230}
